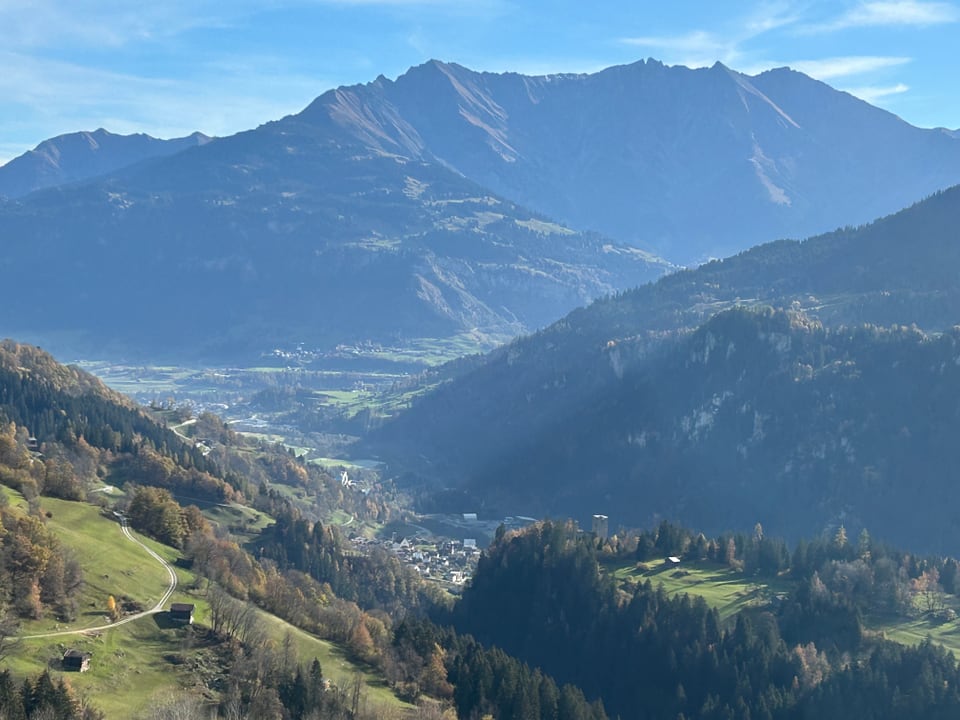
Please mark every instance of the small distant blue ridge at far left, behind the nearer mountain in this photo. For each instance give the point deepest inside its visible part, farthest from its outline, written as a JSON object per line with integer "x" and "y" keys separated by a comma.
{"x": 83, "y": 155}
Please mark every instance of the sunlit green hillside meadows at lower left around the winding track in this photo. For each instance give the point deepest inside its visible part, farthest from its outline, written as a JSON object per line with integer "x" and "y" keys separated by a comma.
{"x": 135, "y": 663}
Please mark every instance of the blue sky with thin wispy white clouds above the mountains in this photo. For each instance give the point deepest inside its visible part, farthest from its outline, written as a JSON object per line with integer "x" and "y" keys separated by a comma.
{"x": 176, "y": 66}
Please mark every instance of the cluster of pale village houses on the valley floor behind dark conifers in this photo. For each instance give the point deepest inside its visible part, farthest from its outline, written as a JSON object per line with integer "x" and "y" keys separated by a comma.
{"x": 451, "y": 562}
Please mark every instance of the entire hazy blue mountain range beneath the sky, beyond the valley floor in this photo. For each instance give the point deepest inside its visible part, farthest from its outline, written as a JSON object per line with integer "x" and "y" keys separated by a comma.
{"x": 442, "y": 203}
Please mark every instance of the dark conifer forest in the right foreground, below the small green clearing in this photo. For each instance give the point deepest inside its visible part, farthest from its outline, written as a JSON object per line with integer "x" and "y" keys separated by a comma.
{"x": 540, "y": 596}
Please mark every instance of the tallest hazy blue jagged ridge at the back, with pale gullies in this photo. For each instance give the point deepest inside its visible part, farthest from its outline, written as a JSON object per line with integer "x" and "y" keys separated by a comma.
{"x": 691, "y": 163}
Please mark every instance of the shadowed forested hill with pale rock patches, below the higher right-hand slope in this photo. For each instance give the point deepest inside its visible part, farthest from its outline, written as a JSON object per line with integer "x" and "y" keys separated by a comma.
{"x": 755, "y": 417}
